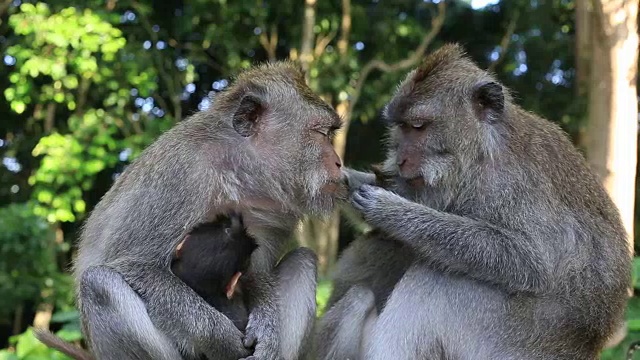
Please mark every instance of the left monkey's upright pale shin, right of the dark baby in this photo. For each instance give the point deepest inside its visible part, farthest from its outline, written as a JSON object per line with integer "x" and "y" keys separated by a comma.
{"x": 297, "y": 281}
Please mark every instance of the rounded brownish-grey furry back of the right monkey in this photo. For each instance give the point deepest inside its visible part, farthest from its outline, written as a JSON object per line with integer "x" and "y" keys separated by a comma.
{"x": 562, "y": 205}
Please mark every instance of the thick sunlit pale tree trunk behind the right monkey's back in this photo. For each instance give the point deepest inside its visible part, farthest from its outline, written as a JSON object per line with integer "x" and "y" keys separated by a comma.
{"x": 612, "y": 128}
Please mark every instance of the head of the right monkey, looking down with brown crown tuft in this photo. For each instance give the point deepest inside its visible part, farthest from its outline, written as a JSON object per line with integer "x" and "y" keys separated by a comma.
{"x": 440, "y": 123}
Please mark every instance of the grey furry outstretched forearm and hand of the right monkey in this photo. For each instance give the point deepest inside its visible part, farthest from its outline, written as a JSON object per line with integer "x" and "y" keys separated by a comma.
{"x": 458, "y": 244}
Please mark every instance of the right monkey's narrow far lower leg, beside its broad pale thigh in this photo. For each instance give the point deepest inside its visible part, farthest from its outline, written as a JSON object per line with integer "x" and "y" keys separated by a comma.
{"x": 343, "y": 331}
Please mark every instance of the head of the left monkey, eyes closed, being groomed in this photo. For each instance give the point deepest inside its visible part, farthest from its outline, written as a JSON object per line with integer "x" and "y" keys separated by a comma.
{"x": 289, "y": 131}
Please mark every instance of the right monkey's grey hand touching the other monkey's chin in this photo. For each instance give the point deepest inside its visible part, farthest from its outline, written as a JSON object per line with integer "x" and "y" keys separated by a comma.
{"x": 373, "y": 202}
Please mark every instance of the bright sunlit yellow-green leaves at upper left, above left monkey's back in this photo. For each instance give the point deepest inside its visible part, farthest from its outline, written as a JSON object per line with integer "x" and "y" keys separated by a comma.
{"x": 77, "y": 59}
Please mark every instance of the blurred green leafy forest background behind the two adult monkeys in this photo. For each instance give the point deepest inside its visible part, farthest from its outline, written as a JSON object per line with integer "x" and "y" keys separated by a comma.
{"x": 86, "y": 85}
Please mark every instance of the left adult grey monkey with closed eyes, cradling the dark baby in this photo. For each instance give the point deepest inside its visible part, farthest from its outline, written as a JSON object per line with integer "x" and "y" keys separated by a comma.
{"x": 263, "y": 149}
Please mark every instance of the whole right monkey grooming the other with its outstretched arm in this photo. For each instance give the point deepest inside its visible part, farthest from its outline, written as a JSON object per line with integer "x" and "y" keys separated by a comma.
{"x": 518, "y": 251}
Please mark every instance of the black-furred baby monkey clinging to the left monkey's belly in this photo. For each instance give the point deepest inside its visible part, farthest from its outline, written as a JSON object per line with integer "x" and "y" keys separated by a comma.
{"x": 211, "y": 260}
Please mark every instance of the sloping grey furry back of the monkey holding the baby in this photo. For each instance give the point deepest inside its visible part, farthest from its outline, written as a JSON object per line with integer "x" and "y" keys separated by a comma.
{"x": 147, "y": 210}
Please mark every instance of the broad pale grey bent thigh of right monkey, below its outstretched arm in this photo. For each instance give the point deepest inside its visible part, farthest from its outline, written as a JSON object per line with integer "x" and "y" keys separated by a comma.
{"x": 434, "y": 315}
